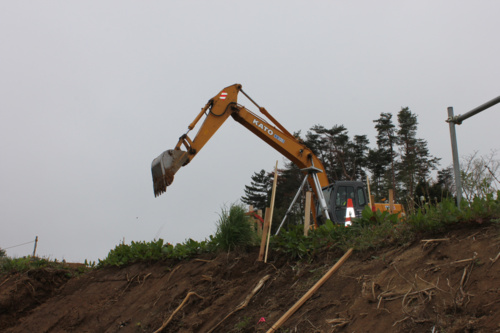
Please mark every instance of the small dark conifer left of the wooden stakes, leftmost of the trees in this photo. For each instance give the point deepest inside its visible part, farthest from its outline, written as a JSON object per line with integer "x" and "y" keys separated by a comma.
{"x": 258, "y": 193}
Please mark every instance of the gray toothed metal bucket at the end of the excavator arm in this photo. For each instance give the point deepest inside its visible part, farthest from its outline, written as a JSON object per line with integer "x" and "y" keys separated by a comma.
{"x": 164, "y": 167}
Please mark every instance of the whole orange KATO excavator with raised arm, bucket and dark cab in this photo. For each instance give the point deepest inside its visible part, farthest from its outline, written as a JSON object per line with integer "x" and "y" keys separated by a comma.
{"x": 331, "y": 198}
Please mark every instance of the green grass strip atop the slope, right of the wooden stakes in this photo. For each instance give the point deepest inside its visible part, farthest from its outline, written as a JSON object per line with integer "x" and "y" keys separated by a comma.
{"x": 381, "y": 229}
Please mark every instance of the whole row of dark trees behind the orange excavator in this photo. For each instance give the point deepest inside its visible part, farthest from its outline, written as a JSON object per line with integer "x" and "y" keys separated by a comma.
{"x": 400, "y": 161}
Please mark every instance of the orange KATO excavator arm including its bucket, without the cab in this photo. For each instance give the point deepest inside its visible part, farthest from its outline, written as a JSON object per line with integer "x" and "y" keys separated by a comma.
{"x": 217, "y": 111}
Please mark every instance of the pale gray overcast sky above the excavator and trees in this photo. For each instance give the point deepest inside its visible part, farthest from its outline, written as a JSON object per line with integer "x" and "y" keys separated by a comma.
{"x": 92, "y": 91}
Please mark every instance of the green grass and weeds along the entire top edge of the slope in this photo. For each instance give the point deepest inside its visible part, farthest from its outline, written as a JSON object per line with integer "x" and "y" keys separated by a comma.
{"x": 234, "y": 231}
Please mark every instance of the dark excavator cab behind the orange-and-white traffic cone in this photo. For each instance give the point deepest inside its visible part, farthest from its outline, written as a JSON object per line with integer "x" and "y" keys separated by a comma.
{"x": 337, "y": 195}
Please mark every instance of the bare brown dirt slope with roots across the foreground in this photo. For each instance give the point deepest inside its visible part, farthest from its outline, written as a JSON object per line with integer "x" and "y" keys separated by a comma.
{"x": 441, "y": 286}
